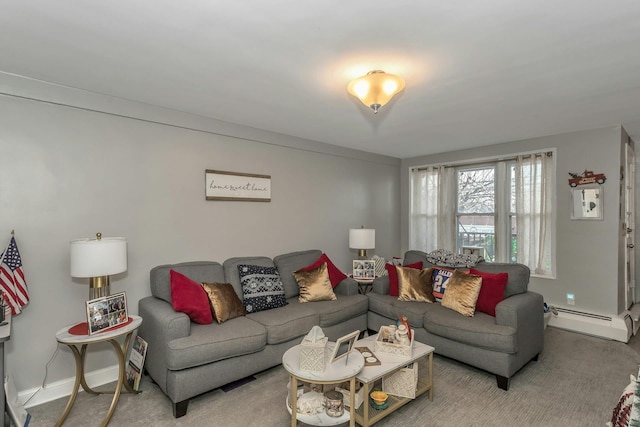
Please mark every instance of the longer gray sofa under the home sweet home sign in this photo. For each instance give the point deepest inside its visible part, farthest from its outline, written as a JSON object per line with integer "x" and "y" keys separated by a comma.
{"x": 186, "y": 359}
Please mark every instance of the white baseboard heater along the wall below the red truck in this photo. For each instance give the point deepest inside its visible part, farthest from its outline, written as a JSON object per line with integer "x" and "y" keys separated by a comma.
{"x": 614, "y": 327}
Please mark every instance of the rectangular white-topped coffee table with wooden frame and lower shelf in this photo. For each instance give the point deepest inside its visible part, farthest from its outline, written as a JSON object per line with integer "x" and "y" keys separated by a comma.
{"x": 421, "y": 353}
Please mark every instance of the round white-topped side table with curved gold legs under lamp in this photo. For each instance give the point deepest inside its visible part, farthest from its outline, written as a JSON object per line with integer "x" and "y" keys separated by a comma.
{"x": 78, "y": 344}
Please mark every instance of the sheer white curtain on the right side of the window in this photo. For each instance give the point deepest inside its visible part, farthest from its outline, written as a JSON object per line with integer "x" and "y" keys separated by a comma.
{"x": 534, "y": 218}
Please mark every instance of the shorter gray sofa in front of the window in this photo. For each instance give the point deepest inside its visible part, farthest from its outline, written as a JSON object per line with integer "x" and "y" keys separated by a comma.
{"x": 500, "y": 345}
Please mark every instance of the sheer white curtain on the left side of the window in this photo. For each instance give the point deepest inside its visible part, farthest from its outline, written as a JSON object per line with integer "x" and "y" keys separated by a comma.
{"x": 432, "y": 204}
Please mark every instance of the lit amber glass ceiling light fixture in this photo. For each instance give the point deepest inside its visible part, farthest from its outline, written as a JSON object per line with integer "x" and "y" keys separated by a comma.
{"x": 376, "y": 88}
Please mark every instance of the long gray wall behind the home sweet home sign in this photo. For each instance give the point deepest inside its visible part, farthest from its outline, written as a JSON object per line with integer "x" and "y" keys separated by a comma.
{"x": 68, "y": 172}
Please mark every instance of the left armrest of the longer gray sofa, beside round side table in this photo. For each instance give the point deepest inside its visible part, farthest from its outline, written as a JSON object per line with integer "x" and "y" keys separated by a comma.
{"x": 160, "y": 325}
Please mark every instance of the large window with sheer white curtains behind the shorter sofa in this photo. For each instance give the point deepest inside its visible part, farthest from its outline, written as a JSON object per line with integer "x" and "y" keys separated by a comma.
{"x": 501, "y": 208}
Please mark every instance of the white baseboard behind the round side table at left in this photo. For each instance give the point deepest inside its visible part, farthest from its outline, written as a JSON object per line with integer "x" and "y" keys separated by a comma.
{"x": 56, "y": 390}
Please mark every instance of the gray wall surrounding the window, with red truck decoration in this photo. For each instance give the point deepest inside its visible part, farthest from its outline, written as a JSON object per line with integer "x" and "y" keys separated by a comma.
{"x": 586, "y": 251}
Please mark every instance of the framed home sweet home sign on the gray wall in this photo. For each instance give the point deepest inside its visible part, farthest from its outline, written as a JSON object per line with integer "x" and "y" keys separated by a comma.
{"x": 222, "y": 185}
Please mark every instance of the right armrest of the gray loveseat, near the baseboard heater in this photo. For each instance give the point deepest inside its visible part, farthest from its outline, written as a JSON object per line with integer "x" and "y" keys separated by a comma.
{"x": 525, "y": 313}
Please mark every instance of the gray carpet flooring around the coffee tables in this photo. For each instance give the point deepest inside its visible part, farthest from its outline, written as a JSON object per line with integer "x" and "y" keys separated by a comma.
{"x": 576, "y": 382}
